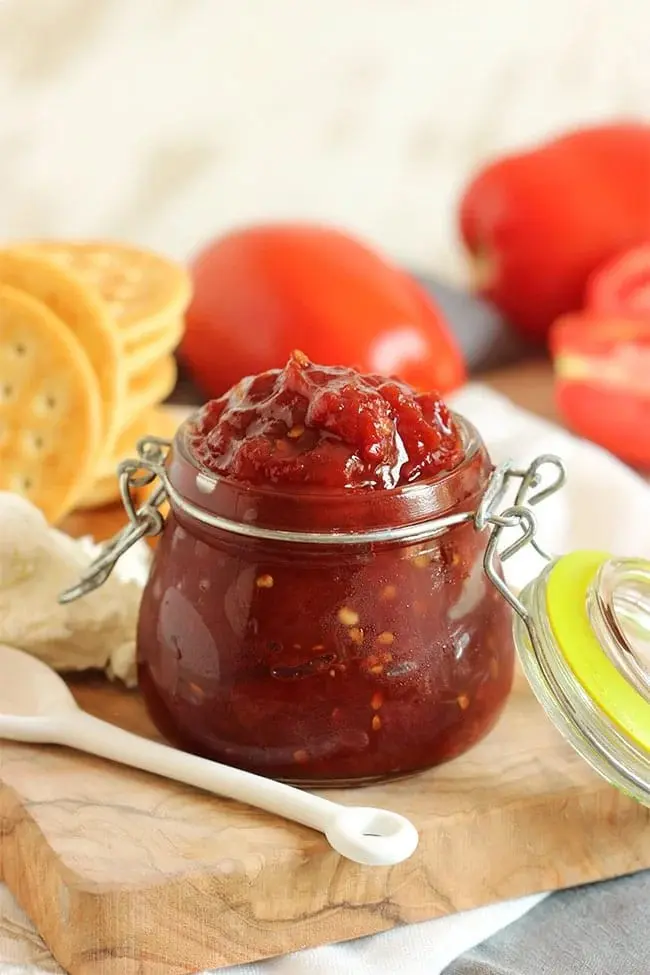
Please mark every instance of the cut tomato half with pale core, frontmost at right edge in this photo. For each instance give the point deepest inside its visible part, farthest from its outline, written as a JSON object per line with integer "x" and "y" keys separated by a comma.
{"x": 602, "y": 382}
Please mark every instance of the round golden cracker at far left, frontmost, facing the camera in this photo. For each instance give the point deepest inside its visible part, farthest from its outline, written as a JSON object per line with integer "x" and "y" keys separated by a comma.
{"x": 50, "y": 406}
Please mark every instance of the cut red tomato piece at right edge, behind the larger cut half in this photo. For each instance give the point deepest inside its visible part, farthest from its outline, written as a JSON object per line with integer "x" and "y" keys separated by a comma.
{"x": 622, "y": 286}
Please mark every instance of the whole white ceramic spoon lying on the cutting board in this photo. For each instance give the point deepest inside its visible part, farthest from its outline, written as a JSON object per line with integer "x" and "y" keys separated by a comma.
{"x": 36, "y": 706}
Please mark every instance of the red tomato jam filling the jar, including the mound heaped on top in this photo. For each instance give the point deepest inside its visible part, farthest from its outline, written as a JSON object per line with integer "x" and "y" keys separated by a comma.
{"x": 276, "y": 633}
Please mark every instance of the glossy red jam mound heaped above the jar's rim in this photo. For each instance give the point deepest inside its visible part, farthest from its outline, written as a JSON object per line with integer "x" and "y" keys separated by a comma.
{"x": 325, "y": 426}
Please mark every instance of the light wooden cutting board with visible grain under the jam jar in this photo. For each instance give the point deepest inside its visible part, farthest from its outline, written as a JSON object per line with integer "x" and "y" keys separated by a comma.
{"x": 123, "y": 873}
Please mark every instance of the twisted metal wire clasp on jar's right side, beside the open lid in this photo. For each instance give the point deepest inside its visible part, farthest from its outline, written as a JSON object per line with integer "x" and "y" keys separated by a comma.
{"x": 539, "y": 481}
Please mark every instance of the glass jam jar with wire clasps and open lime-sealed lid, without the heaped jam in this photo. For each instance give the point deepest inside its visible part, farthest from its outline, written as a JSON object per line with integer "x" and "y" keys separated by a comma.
{"x": 415, "y": 659}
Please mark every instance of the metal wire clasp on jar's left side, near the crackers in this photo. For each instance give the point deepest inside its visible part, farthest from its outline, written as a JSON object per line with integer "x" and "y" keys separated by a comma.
{"x": 147, "y": 520}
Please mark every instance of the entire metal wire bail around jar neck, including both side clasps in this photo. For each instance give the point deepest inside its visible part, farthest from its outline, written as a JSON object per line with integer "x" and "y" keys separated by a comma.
{"x": 148, "y": 521}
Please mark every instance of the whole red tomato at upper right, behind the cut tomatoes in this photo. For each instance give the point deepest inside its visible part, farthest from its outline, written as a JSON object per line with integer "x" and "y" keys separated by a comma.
{"x": 539, "y": 222}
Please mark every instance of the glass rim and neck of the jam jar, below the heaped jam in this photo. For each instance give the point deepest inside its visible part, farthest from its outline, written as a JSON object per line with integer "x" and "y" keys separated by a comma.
{"x": 273, "y": 512}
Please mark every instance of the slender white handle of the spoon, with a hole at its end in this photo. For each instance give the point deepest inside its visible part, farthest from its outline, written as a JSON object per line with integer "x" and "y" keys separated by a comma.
{"x": 367, "y": 835}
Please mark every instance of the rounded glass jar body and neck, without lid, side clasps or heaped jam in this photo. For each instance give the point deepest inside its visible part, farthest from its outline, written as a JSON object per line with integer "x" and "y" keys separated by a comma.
{"x": 321, "y": 638}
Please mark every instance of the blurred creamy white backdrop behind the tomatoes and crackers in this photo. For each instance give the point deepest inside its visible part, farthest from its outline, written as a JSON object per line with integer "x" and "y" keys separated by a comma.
{"x": 168, "y": 120}
